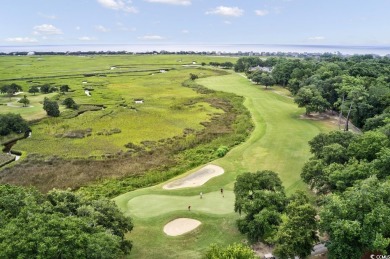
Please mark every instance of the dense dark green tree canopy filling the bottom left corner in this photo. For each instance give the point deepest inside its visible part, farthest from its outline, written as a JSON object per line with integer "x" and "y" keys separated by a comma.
{"x": 60, "y": 224}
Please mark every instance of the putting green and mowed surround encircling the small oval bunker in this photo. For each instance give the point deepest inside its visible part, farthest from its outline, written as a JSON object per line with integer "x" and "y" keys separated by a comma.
{"x": 152, "y": 208}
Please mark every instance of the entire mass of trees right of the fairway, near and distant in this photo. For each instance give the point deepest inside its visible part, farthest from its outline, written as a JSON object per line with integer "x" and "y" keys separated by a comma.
{"x": 349, "y": 173}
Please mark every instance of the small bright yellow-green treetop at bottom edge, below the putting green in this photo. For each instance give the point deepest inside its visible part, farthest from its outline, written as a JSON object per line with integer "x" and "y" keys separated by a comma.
{"x": 234, "y": 251}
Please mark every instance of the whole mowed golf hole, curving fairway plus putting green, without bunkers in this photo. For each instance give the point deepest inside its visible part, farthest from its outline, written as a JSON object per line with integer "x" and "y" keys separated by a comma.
{"x": 278, "y": 143}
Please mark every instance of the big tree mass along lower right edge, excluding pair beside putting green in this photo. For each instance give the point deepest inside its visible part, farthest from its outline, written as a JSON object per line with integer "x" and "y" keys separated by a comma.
{"x": 351, "y": 173}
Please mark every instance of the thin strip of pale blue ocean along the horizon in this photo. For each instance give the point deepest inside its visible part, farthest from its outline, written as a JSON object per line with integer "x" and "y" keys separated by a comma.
{"x": 223, "y": 48}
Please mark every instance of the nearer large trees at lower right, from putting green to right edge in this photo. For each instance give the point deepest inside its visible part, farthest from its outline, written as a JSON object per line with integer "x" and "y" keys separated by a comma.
{"x": 350, "y": 175}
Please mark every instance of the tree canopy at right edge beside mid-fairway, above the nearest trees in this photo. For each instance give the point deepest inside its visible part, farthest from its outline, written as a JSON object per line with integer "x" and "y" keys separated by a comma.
{"x": 341, "y": 159}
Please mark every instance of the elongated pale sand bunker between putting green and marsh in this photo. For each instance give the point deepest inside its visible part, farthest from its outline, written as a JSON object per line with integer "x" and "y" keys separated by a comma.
{"x": 198, "y": 178}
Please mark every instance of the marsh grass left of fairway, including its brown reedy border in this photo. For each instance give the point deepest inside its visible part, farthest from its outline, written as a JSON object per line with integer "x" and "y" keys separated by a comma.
{"x": 126, "y": 146}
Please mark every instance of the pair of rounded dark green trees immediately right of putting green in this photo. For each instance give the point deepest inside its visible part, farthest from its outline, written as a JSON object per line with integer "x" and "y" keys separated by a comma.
{"x": 270, "y": 217}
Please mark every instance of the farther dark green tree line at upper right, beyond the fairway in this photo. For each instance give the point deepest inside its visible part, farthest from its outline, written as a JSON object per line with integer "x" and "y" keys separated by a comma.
{"x": 357, "y": 87}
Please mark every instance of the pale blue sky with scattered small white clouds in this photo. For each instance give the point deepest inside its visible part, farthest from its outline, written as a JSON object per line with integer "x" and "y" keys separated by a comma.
{"x": 322, "y": 22}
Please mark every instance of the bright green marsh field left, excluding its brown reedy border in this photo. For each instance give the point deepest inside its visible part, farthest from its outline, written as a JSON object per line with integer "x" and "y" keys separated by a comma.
{"x": 114, "y": 82}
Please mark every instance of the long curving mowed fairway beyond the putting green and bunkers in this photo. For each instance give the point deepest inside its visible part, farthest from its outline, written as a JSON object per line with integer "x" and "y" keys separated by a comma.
{"x": 279, "y": 141}
